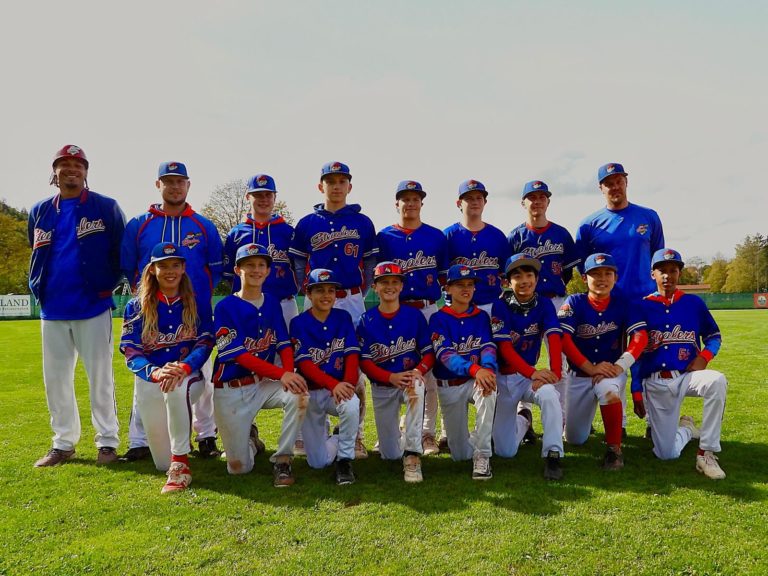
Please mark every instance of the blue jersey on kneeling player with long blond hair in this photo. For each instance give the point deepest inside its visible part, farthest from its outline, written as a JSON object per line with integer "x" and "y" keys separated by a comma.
{"x": 171, "y": 344}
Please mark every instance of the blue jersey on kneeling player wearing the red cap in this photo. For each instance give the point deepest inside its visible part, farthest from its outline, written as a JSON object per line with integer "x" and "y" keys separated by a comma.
{"x": 396, "y": 344}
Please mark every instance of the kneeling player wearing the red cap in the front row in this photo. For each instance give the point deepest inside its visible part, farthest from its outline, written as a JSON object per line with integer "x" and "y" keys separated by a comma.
{"x": 396, "y": 353}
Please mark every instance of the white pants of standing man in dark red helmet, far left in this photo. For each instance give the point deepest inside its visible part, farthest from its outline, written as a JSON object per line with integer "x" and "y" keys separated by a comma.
{"x": 63, "y": 341}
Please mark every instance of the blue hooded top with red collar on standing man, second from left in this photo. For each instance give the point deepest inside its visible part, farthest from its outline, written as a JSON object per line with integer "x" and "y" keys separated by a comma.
{"x": 193, "y": 233}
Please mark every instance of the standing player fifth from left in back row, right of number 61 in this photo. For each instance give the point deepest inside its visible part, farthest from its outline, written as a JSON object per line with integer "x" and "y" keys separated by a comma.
{"x": 419, "y": 250}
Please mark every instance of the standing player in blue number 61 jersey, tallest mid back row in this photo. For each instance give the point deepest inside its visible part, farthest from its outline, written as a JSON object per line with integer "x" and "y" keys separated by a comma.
{"x": 338, "y": 237}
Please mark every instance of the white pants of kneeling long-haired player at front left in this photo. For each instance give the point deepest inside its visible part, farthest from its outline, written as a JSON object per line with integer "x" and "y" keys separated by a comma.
{"x": 168, "y": 416}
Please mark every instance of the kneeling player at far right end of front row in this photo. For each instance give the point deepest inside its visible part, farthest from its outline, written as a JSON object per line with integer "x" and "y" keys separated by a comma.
{"x": 683, "y": 338}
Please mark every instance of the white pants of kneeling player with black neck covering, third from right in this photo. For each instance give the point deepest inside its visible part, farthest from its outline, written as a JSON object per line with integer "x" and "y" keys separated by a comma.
{"x": 509, "y": 428}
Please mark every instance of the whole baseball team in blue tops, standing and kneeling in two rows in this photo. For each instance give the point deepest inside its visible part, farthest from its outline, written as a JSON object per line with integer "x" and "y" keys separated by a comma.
{"x": 504, "y": 297}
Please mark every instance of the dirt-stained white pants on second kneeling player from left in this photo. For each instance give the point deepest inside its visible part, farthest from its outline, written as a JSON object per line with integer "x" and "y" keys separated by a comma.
{"x": 235, "y": 410}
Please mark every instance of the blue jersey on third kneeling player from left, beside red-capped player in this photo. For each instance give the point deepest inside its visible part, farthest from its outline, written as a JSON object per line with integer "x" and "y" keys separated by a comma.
{"x": 327, "y": 343}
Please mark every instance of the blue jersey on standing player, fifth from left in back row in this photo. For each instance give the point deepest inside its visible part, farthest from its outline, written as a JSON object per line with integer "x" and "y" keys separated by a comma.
{"x": 421, "y": 255}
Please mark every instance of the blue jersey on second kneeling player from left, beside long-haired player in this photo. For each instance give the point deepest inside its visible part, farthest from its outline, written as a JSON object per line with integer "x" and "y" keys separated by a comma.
{"x": 242, "y": 327}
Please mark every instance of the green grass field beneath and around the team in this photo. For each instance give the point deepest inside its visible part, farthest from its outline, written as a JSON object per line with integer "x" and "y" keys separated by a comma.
{"x": 651, "y": 518}
